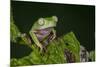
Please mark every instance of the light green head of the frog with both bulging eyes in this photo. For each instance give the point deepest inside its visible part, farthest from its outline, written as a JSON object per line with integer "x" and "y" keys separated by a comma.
{"x": 47, "y": 22}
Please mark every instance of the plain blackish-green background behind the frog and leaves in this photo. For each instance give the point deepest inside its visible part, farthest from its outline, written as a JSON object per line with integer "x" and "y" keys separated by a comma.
{"x": 77, "y": 18}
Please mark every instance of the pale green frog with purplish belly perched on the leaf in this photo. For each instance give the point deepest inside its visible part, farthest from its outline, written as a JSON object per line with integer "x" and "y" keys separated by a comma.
{"x": 42, "y": 31}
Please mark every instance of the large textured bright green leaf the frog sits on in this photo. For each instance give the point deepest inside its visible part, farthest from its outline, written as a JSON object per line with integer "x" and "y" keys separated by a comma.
{"x": 54, "y": 53}
